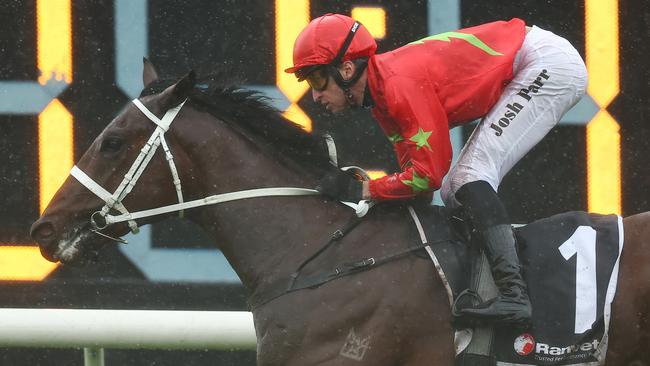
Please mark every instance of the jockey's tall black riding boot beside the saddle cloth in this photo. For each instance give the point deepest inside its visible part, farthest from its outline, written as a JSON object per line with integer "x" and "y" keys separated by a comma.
{"x": 488, "y": 216}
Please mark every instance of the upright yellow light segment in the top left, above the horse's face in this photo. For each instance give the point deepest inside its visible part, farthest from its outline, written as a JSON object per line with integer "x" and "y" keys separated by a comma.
{"x": 54, "y": 40}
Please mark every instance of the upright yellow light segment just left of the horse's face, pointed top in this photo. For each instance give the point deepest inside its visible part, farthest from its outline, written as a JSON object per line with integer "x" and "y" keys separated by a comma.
{"x": 55, "y": 145}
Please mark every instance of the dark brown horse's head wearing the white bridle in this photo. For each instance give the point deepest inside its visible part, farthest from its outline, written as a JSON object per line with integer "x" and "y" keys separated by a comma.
{"x": 65, "y": 231}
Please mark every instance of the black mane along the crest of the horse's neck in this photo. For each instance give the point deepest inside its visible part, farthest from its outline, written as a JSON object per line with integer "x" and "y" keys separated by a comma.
{"x": 250, "y": 114}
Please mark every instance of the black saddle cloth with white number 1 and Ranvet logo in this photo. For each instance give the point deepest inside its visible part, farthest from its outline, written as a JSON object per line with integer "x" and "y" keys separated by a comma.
{"x": 570, "y": 263}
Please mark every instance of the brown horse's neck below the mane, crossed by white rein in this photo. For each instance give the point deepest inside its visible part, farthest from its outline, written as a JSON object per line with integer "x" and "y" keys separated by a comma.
{"x": 264, "y": 239}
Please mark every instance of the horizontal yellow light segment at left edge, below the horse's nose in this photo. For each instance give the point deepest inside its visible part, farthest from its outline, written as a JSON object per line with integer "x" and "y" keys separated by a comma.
{"x": 23, "y": 263}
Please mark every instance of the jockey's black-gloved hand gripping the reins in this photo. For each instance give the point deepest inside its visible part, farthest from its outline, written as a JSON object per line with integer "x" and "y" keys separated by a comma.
{"x": 341, "y": 185}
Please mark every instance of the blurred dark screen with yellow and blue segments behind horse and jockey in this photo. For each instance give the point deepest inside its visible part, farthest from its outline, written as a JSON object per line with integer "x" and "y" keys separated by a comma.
{"x": 68, "y": 67}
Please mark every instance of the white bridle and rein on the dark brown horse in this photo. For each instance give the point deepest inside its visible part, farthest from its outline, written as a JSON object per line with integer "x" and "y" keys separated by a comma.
{"x": 114, "y": 200}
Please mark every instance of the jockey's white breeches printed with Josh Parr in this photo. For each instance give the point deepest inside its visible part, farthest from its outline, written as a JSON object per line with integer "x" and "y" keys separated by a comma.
{"x": 550, "y": 78}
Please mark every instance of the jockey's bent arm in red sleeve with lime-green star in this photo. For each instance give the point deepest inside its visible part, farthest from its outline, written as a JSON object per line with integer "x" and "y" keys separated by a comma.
{"x": 421, "y": 142}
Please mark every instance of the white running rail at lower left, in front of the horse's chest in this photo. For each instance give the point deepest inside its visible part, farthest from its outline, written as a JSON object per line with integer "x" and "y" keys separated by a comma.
{"x": 95, "y": 330}
